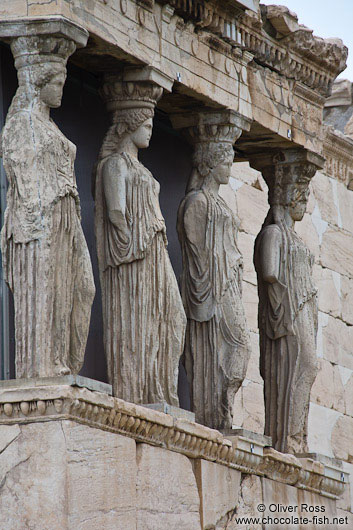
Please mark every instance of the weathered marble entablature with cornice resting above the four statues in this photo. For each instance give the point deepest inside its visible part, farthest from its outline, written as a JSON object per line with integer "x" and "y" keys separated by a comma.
{"x": 259, "y": 63}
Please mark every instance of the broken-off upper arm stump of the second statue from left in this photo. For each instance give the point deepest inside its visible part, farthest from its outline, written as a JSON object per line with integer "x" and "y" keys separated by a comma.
{"x": 115, "y": 173}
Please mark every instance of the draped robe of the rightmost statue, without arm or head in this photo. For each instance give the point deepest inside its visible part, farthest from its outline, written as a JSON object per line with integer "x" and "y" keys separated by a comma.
{"x": 288, "y": 325}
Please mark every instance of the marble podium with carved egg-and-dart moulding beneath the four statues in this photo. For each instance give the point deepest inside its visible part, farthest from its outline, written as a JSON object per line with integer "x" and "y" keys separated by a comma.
{"x": 71, "y": 458}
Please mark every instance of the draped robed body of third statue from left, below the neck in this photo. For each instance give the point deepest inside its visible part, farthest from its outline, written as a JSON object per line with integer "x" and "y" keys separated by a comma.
{"x": 217, "y": 346}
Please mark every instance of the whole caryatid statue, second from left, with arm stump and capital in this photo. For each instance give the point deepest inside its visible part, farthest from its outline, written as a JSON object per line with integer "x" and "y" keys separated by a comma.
{"x": 143, "y": 316}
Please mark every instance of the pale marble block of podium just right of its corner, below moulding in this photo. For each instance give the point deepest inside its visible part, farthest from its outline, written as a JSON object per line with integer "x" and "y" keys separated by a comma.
{"x": 101, "y": 478}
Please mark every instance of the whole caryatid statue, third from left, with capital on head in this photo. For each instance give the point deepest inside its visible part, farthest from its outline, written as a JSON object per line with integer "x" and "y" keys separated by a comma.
{"x": 217, "y": 346}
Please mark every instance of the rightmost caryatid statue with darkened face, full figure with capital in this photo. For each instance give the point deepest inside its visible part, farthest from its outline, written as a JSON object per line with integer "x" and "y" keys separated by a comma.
{"x": 288, "y": 310}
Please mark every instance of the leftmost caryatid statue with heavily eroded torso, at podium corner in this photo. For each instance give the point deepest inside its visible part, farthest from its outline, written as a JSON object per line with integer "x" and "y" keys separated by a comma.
{"x": 45, "y": 256}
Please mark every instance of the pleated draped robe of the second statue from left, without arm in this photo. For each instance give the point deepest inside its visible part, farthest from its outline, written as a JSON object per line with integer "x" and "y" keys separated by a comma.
{"x": 144, "y": 320}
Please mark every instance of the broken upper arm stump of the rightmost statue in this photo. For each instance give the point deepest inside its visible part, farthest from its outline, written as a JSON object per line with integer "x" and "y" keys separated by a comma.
{"x": 271, "y": 254}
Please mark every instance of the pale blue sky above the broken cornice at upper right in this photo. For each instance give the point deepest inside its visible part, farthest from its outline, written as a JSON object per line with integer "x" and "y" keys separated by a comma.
{"x": 328, "y": 18}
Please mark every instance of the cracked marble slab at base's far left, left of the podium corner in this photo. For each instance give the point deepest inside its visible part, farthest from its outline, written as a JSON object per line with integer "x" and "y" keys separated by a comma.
{"x": 33, "y": 473}
